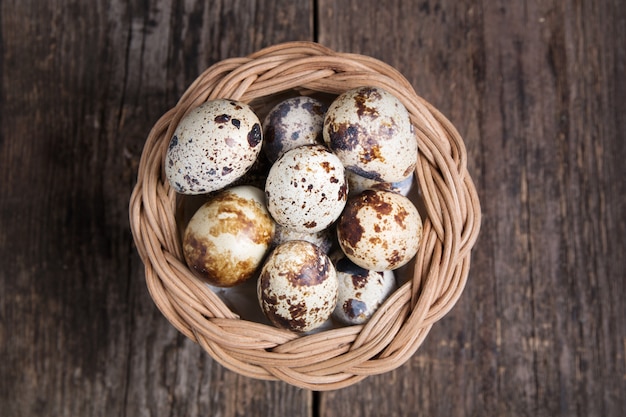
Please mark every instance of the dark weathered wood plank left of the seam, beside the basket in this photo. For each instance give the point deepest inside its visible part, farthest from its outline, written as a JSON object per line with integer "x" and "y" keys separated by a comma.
{"x": 82, "y": 83}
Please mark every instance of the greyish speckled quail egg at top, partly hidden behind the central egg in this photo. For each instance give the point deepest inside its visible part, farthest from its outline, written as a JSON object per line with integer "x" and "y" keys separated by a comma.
{"x": 294, "y": 122}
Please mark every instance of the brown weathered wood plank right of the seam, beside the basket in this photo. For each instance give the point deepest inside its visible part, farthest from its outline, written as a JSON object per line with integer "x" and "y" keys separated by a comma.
{"x": 536, "y": 89}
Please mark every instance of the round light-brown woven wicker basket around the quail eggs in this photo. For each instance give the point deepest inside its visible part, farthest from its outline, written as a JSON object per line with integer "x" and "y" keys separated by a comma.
{"x": 337, "y": 357}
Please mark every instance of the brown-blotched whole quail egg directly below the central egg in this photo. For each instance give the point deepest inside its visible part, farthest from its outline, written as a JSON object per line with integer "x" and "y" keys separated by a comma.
{"x": 297, "y": 286}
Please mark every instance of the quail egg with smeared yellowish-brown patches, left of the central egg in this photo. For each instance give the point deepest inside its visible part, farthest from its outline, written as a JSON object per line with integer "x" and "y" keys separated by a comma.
{"x": 228, "y": 237}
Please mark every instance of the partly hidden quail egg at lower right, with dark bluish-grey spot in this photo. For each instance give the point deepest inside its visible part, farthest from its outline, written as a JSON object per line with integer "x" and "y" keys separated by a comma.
{"x": 361, "y": 291}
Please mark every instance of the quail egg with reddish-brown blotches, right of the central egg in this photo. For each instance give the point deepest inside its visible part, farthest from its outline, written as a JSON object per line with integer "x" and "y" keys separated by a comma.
{"x": 379, "y": 230}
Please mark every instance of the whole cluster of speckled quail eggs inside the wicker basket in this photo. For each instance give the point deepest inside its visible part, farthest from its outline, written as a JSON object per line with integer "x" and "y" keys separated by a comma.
{"x": 328, "y": 222}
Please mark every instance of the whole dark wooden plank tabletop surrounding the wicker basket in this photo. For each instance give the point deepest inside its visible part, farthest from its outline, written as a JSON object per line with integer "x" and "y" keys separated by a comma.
{"x": 537, "y": 89}
